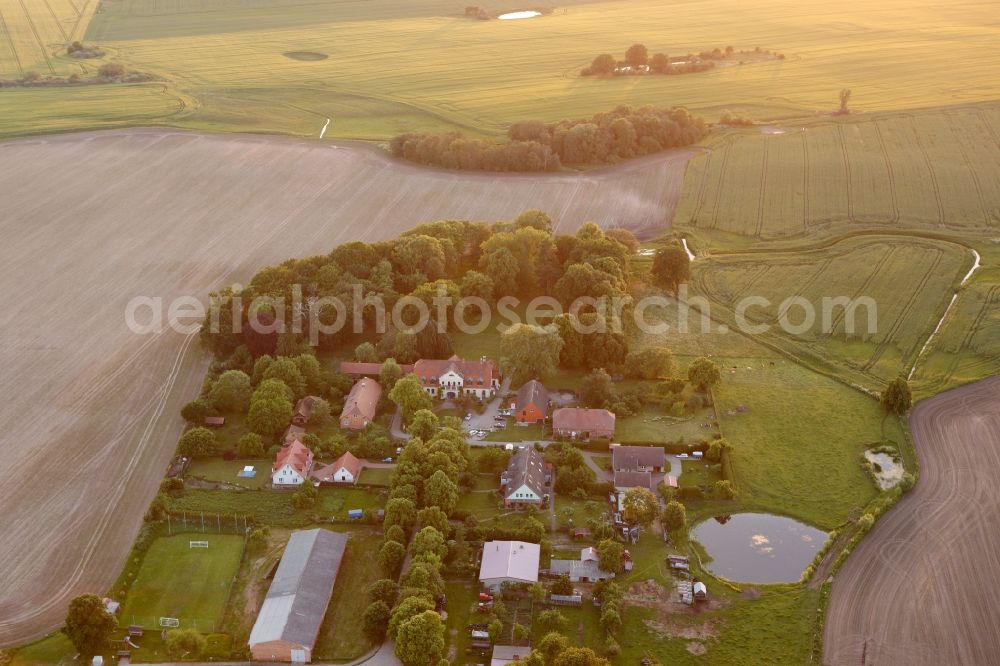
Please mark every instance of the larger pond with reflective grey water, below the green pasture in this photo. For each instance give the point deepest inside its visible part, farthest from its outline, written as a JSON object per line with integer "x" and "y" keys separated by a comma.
{"x": 759, "y": 547}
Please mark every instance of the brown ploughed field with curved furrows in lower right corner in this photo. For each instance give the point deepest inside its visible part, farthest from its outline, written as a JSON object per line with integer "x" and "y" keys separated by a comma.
{"x": 921, "y": 589}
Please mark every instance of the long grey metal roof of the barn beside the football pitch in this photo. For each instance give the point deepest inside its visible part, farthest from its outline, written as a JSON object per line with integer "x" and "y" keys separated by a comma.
{"x": 296, "y": 602}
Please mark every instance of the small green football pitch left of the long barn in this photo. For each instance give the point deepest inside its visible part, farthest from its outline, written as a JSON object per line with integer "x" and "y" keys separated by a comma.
{"x": 190, "y": 584}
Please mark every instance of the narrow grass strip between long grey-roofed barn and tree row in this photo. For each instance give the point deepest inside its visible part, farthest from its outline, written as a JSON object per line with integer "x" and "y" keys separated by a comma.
{"x": 340, "y": 637}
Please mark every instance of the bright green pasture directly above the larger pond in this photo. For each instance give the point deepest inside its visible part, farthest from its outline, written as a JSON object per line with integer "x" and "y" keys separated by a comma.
{"x": 796, "y": 449}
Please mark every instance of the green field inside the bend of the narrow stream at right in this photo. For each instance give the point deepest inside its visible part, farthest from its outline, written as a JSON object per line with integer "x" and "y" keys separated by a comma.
{"x": 909, "y": 281}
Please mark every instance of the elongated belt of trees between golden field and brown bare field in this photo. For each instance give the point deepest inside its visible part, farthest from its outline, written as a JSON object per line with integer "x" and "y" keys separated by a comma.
{"x": 605, "y": 138}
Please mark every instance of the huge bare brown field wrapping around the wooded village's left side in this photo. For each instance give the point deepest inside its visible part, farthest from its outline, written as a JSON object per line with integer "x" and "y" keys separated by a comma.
{"x": 89, "y": 415}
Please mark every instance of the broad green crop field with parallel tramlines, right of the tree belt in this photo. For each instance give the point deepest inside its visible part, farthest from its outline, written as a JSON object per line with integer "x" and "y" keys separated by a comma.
{"x": 931, "y": 169}
